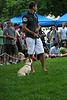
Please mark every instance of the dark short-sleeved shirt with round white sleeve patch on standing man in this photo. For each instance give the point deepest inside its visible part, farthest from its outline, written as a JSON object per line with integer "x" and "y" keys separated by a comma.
{"x": 31, "y": 20}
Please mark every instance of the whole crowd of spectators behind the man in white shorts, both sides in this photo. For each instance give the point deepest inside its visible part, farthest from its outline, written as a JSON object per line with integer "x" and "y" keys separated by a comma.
{"x": 15, "y": 41}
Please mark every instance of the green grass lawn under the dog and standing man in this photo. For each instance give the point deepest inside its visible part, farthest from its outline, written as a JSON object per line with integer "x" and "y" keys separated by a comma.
{"x": 38, "y": 86}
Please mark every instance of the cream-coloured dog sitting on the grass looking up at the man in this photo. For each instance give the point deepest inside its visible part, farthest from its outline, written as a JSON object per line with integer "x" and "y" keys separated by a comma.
{"x": 25, "y": 70}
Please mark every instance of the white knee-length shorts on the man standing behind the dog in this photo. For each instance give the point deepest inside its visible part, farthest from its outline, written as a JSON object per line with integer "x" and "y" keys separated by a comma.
{"x": 34, "y": 45}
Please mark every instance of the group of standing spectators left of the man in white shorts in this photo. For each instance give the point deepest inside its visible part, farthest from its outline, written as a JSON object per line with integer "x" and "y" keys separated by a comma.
{"x": 12, "y": 41}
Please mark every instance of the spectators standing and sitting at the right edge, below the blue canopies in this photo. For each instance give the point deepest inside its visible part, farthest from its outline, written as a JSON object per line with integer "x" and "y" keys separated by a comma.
{"x": 58, "y": 41}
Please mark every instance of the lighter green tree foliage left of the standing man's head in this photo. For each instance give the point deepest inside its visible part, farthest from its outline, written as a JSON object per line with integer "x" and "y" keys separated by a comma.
{"x": 12, "y": 8}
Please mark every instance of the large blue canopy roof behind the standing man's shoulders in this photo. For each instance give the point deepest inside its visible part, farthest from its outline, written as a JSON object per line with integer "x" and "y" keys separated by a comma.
{"x": 43, "y": 21}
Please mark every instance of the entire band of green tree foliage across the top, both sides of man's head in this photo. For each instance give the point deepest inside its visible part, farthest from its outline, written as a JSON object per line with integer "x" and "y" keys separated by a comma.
{"x": 12, "y": 8}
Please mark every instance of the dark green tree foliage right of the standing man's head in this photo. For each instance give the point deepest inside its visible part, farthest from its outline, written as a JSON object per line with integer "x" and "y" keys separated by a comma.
{"x": 53, "y": 7}
